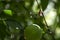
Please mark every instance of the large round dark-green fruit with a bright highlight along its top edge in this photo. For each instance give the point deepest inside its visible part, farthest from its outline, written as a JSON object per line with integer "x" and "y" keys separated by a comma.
{"x": 33, "y": 32}
